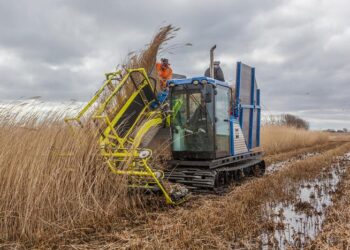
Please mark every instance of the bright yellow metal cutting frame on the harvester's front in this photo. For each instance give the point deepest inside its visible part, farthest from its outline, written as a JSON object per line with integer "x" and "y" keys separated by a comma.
{"x": 122, "y": 153}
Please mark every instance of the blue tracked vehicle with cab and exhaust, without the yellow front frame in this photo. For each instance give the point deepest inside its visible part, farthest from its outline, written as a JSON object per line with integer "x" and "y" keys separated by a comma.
{"x": 216, "y": 131}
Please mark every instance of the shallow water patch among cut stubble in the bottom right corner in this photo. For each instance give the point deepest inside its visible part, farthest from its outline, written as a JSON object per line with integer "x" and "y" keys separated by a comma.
{"x": 295, "y": 223}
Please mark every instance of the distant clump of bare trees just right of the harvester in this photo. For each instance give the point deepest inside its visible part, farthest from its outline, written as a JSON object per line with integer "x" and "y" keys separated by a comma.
{"x": 288, "y": 120}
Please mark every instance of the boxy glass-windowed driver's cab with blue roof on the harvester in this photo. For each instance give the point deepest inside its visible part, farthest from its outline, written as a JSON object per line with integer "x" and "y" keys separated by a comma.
{"x": 200, "y": 124}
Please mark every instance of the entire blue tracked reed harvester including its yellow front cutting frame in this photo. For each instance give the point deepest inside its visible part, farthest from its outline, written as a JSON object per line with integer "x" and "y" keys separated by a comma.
{"x": 214, "y": 129}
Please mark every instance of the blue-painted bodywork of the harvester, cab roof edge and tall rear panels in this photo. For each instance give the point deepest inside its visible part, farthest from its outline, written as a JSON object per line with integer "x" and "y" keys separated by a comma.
{"x": 245, "y": 109}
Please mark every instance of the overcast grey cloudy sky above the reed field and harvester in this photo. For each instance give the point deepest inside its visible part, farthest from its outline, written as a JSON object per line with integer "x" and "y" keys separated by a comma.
{"x": 59, "y": 50}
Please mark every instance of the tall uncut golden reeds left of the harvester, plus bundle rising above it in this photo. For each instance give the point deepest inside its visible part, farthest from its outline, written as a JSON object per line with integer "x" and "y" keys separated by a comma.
{"x": 53, "y": 184}
